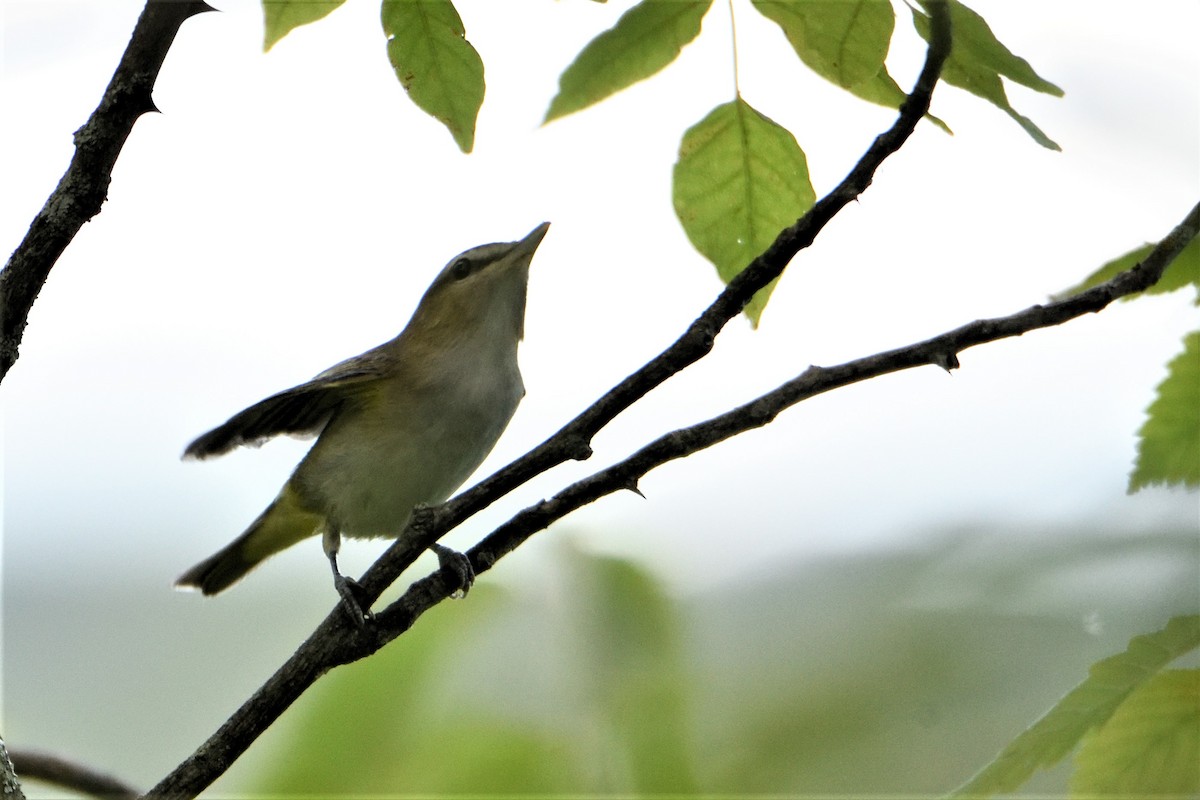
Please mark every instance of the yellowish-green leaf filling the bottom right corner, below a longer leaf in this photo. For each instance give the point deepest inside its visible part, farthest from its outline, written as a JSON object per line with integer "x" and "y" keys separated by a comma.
{"x": 1150, "y": 747}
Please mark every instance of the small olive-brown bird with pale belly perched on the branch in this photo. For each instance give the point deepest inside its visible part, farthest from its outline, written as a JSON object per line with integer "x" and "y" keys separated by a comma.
{"x": 401, "y": 425}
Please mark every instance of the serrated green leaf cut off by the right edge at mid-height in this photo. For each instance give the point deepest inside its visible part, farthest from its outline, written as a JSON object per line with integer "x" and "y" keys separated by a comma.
{"x": 1169, "y": 441}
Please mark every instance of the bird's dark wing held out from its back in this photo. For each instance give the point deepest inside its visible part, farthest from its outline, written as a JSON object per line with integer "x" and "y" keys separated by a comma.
{"x": 302, "y": 411}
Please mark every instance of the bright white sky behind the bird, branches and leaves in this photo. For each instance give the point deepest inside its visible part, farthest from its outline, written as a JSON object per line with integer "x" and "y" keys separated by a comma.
{"x": 287, "y": 210}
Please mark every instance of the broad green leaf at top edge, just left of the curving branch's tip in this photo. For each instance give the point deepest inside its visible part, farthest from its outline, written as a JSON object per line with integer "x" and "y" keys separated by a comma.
{"x": 844, "y": 41}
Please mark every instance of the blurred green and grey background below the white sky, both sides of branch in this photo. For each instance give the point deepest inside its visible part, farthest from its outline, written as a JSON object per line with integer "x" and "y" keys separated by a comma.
{"x": 892, "y": 672}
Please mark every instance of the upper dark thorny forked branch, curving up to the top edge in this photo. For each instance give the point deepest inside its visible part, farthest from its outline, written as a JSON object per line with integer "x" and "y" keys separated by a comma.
{"x": 335, "y": 642}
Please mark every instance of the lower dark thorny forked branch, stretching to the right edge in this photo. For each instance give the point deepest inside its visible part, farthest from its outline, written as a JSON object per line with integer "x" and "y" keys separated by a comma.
{"x": 335, "y": 642}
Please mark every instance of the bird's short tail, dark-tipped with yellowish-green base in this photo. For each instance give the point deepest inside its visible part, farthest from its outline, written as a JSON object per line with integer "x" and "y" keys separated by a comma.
{"x": 285, "y": 524}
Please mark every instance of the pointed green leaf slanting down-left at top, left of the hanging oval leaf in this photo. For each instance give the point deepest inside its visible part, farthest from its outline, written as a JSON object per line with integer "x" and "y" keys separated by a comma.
{"x": 646, "y": 39}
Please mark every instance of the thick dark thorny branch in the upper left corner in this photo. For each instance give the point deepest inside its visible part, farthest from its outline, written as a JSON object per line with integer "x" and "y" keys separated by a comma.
{"x": 85, "y": 187}
